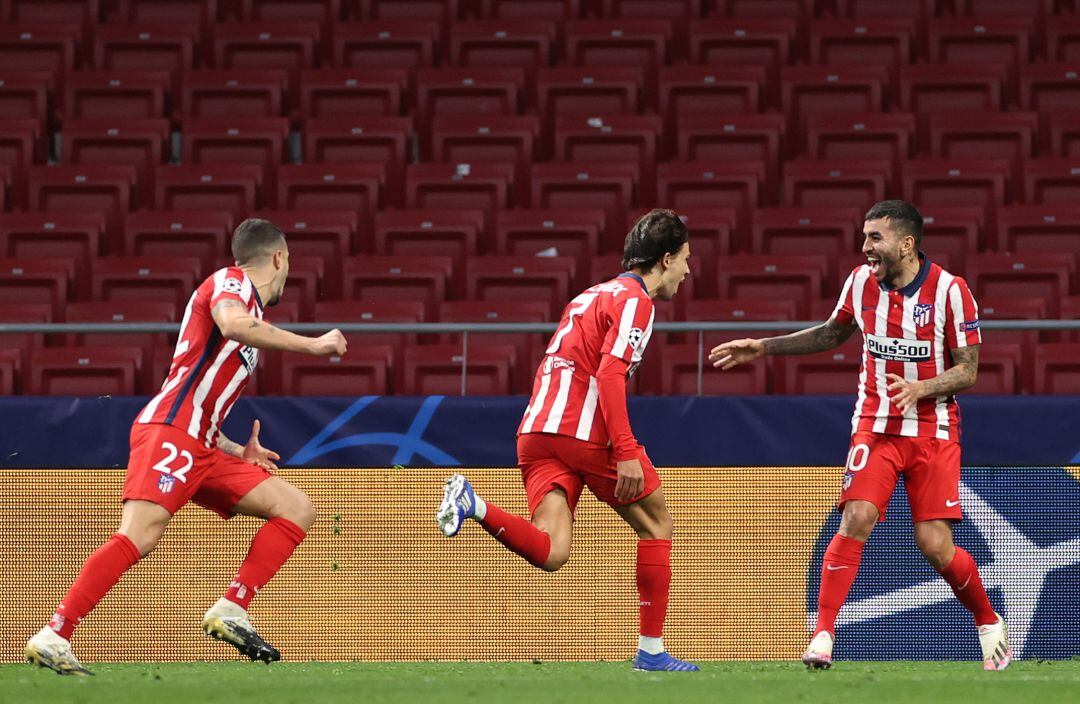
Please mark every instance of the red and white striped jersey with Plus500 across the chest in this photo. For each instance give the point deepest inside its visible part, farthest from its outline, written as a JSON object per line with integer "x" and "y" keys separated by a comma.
{"x": 909, "y": 332}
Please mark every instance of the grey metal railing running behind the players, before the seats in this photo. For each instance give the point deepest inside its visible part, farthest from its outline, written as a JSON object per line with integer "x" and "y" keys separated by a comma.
{"x": 503, "y": 329}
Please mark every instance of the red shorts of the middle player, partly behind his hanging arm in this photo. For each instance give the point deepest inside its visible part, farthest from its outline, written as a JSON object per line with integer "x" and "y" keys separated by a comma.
{"x": 550, "y": 462}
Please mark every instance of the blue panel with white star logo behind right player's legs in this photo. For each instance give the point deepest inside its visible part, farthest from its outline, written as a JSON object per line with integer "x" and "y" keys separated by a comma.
{"x": 1022, "y": 527}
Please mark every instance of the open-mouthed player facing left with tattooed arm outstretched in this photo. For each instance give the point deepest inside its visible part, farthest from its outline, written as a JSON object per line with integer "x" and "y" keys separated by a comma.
{"x": 922, "y": 340}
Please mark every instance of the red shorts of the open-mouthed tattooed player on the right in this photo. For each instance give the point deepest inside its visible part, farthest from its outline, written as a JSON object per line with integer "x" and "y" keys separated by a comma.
{"x": 930, "y": 467}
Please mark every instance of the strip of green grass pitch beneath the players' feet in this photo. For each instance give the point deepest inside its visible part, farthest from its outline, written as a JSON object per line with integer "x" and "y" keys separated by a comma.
{"x": 239, "y": 683}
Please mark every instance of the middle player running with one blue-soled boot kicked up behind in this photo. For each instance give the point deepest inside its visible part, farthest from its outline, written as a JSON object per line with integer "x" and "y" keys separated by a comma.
{"x": 576, "y": 431}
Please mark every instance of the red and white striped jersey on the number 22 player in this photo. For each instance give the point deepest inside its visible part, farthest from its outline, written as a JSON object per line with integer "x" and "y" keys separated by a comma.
{"x": 209, "y": 372}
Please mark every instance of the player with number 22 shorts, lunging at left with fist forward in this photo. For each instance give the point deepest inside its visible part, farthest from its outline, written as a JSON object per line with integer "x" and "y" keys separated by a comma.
{"x": 179, "y": 453}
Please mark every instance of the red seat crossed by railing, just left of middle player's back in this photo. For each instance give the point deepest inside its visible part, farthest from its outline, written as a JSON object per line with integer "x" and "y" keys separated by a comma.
{"x": 530, "y": 348}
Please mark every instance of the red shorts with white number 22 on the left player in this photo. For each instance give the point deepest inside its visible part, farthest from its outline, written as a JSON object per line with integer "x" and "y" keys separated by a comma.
{"x": 170, "y": 468}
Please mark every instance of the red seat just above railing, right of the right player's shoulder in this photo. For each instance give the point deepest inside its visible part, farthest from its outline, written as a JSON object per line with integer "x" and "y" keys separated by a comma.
{"x": 1022, "y": 276}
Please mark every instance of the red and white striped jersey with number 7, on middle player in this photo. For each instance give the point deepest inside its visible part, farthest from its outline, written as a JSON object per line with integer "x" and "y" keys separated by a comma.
{"x": 614, "y": 318}
